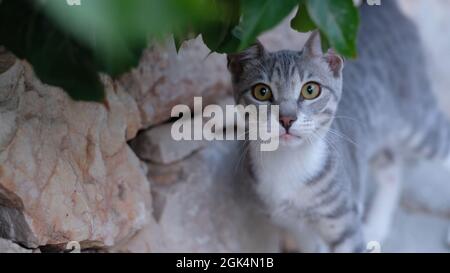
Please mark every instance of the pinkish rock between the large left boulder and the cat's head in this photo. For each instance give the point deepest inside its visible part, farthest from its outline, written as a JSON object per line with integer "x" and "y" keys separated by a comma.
{"x": 165, "y": 79}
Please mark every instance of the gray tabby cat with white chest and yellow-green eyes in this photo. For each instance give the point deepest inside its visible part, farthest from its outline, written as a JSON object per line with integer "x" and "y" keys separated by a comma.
{"x": 336, "y": 124}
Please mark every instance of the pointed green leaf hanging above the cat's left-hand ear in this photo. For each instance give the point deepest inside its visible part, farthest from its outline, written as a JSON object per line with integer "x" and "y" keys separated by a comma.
{"x": 261, "y": 15}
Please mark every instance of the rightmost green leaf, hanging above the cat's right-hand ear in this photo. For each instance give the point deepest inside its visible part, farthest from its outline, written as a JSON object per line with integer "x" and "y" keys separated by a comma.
{"x": 338, "y": 21}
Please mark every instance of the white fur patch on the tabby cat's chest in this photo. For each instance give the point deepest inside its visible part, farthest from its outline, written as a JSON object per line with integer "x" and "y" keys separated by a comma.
{"x": 282, "y": 175}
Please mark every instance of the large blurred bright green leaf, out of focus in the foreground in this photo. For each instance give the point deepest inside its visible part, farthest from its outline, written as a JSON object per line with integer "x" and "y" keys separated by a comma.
{"x": 118, "y": 30}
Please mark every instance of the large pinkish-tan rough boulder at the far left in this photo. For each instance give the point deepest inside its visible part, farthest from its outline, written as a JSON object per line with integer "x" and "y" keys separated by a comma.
{"x": 66, "y": 171}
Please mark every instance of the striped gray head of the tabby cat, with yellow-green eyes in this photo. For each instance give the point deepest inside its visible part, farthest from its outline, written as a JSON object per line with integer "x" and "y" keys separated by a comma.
{"x": 306, "y": 85}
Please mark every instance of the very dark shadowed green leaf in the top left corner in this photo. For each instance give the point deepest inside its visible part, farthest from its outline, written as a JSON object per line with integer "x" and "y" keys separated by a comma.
{"x": 56, "y": 57}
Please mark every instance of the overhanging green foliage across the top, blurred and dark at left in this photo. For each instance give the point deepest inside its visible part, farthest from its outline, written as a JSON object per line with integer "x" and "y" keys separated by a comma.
{"x": 69, "y": 45}
